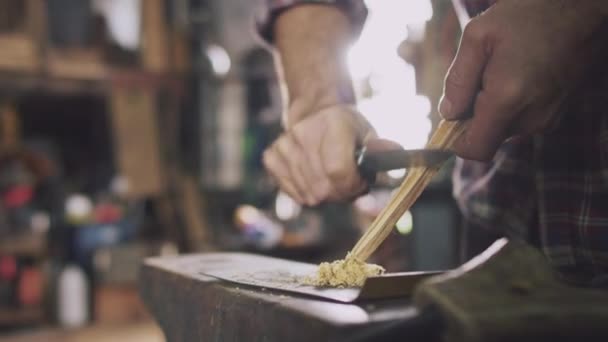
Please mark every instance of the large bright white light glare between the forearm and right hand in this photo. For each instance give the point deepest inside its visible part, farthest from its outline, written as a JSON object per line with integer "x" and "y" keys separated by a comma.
{"x": 394, "y": 108}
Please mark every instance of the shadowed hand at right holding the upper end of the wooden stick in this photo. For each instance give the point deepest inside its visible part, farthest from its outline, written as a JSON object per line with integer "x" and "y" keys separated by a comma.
{"x": 517, "y": 64}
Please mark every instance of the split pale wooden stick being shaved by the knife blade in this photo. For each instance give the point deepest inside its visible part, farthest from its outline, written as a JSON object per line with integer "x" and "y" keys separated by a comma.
{"x": 414, "y": 183}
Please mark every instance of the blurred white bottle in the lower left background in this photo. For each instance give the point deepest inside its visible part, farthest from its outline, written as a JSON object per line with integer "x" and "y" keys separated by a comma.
{"x": 72, "y": 297}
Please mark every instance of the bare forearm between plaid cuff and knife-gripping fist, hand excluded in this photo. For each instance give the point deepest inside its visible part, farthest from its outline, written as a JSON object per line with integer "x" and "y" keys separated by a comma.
{"x": 311, "y": 42}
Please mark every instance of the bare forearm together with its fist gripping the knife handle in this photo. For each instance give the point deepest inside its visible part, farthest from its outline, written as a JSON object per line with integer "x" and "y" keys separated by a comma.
{"x": 314, "y": 160}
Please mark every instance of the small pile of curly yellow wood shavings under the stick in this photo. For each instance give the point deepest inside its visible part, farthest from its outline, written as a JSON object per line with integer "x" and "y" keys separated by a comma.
{"x": 349, "y": 272}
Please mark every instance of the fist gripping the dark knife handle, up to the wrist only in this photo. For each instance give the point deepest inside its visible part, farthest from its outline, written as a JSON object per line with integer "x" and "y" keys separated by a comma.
{"x": 314, "y": 160}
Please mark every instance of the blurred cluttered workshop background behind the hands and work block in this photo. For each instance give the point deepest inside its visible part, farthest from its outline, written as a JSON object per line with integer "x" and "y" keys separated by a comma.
{"x": 135, "y": 128}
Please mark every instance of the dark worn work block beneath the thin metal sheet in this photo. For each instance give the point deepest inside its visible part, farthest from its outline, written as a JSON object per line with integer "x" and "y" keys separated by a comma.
{"x": 190, "y": 306}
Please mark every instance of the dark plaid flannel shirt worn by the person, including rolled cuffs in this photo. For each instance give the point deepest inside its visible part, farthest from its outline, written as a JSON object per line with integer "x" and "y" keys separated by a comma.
{"x": 551, "y": 189}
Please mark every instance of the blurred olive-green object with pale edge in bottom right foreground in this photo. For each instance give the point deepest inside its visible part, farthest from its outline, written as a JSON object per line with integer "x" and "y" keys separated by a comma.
{"x": 511, "y": 293}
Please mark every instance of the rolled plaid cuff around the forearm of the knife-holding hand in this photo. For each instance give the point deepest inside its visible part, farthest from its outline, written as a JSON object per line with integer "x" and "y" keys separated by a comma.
{"x": 355, "y": 9}
